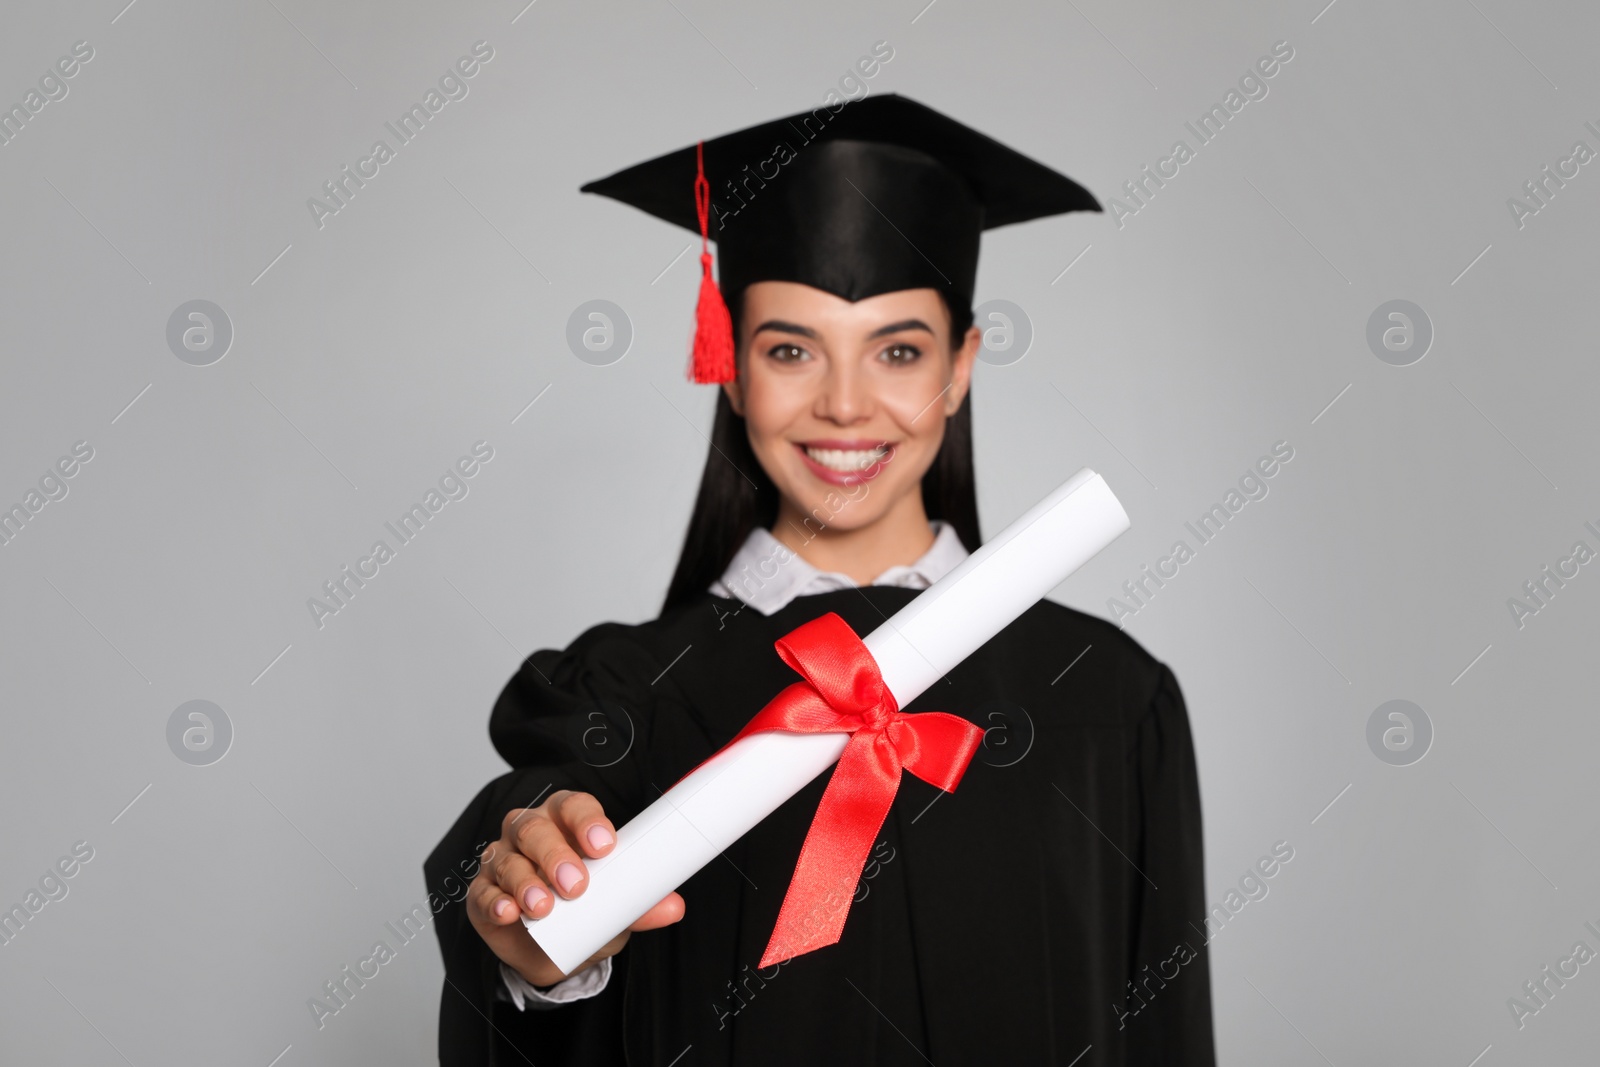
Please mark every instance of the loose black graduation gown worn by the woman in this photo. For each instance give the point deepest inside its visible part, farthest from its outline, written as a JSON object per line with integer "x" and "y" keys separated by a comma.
{"x": 1001, "y": 924}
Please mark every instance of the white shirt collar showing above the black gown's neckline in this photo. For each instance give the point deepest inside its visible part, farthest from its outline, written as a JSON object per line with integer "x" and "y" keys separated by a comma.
{"x": 767, "y": 575}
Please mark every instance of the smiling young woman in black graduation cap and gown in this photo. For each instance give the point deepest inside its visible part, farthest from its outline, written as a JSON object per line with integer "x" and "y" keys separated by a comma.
{"x": 1047, "y": 909}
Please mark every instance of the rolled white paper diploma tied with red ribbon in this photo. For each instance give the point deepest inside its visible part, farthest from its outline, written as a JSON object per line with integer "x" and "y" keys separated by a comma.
{"x": 722, "y": 801}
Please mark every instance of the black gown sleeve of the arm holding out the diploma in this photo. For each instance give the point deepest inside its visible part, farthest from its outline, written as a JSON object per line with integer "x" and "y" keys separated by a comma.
{"x": 566, "y": 721}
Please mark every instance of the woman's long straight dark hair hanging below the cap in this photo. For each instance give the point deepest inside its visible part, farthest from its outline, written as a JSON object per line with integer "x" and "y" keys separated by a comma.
{"x": 737, "y": 495}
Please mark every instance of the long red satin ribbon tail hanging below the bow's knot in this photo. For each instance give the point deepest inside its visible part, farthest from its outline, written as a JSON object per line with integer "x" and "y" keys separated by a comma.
{"x": 836, "y": 850}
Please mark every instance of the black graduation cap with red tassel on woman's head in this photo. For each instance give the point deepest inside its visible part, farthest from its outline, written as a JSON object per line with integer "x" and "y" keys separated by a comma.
{"x": 876, "y": 196}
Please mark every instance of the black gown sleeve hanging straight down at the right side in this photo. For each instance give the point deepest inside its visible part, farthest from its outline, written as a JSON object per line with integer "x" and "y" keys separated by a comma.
{"x": 1175, "y": 1023}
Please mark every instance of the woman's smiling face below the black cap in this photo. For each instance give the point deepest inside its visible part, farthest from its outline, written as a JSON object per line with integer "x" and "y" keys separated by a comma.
{"x": 846, "y": 402}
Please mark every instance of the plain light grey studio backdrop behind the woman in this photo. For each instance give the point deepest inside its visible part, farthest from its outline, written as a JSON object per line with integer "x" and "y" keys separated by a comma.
{"x": 428, "y": 314}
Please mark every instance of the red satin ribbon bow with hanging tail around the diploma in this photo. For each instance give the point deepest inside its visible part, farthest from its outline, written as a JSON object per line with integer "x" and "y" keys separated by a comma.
{"x": 846, "y": 693}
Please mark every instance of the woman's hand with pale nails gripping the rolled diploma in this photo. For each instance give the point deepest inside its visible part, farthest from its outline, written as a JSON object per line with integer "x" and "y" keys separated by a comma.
{"x": 542, "y": 853}
